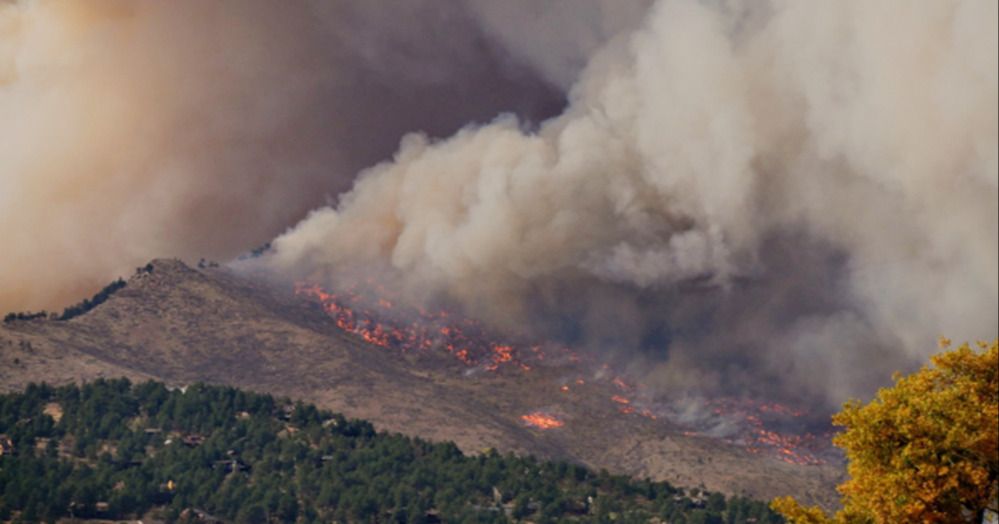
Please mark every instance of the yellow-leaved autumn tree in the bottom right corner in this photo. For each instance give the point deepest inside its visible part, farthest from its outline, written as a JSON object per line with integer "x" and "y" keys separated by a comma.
{"x": 924, "y": 450}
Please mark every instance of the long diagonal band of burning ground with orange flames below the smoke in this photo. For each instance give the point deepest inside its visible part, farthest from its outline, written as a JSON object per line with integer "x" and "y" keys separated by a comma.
{"x": 387, "y": 322}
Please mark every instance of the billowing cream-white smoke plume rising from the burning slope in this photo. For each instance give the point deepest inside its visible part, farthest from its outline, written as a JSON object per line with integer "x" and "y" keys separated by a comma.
{"x": 767, "y": 197}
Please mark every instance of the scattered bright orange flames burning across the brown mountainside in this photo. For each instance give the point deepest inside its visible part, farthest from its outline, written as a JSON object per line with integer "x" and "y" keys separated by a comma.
{"x": 377, "y": 318}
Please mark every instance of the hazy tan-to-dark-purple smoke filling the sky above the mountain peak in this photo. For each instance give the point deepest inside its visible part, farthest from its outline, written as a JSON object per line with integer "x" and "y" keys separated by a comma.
{"x": 130, "y": 130}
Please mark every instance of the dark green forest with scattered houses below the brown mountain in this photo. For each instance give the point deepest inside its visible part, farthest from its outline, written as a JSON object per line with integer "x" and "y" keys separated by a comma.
{"x": 111, "y": 449}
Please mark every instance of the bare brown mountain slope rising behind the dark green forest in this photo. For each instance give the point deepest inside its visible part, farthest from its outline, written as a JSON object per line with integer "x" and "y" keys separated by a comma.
{"x": 182, "y": 324}
